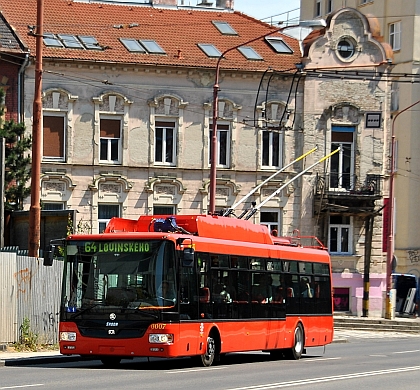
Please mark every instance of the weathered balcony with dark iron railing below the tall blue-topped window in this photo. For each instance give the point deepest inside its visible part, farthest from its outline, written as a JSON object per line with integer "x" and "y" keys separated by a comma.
{"x": 345, "y": 193}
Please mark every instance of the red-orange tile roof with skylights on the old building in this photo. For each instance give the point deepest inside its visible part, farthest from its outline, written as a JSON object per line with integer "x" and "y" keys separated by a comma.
{"x": 177, "y": 31}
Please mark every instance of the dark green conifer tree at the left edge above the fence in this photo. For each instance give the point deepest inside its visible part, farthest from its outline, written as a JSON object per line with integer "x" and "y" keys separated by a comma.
{"x": 17, "y": 162}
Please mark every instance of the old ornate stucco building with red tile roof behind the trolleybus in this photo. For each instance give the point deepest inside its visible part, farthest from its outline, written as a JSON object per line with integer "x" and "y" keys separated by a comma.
{"x": 127, "y": 114}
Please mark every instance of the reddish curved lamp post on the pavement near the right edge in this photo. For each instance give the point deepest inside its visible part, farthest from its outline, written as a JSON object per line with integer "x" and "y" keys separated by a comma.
{"x": 390, "y": 214}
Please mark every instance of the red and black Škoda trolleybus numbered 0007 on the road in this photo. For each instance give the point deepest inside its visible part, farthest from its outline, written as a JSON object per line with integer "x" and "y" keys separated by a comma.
{"x": 192, "y": 285}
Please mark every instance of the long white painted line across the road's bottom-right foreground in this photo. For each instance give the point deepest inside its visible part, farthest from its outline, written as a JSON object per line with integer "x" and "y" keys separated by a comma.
{"x": 327, "y": 379}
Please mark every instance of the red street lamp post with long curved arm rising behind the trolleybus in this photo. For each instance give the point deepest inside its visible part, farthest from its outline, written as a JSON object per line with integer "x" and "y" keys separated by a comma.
{"x": 318, "y": 23}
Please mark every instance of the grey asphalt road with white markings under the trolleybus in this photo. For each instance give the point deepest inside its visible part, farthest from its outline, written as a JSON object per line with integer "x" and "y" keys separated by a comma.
{"x": 367, "y": 360}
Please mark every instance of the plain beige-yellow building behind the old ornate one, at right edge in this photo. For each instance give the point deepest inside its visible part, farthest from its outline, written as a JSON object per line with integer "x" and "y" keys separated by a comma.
{"x": 397, "y": 24}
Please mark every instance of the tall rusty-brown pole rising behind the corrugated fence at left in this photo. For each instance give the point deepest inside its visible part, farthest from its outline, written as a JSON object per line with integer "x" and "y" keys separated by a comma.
{"x": 35, "y": 210}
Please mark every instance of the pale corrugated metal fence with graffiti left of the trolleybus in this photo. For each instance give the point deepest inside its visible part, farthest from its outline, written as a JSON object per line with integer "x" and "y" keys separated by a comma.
{"x": 29, "y": 290}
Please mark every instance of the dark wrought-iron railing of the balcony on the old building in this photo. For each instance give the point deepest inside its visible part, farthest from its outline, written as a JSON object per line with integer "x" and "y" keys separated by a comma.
{"x": 348, "y": 184}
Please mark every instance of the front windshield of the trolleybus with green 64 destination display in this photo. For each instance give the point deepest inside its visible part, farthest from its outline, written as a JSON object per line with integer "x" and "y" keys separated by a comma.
{"x": 118, "y": 275}
